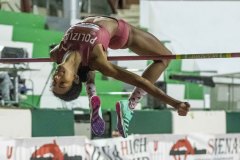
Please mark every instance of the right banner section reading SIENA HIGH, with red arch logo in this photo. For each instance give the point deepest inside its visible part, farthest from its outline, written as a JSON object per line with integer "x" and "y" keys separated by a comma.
{"x": 169, "y": 147}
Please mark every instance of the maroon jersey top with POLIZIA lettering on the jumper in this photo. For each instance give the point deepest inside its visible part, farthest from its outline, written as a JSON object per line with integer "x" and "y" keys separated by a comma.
{"x": 83, "y": 37}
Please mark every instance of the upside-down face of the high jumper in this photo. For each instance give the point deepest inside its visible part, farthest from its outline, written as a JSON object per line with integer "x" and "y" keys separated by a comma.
{"x": 62, "y": 80}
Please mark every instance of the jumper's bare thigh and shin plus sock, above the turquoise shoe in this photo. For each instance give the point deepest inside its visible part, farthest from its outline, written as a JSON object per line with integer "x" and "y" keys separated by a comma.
{"x": 144, "y": 43}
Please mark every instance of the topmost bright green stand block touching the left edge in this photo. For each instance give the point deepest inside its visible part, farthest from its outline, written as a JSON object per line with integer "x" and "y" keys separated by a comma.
{"x": 22, "y": 19}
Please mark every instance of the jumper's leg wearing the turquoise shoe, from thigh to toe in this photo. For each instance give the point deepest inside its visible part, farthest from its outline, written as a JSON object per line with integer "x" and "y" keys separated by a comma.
{"x": 142, "y": 43}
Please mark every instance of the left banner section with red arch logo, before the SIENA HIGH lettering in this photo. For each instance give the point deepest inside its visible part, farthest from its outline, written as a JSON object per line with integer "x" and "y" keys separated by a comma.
{"x": 54, "y": 148}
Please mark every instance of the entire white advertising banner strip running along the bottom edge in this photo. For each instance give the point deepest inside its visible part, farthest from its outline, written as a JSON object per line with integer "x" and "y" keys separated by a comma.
{"x": 135, "y": 147}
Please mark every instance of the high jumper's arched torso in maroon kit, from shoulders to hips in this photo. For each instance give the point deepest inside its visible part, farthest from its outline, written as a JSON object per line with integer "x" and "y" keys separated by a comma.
{"x": 84, "y": 36}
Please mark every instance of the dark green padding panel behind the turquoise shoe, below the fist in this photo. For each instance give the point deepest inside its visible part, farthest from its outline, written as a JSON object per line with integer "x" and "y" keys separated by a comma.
{"x": 148, "y": 122}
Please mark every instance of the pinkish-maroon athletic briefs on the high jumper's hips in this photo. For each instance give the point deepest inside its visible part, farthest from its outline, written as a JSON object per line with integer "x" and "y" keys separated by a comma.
{"x": 120, "y": 38}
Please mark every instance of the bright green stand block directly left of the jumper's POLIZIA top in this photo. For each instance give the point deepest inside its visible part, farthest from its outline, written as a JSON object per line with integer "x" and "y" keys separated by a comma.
{"x": 46, "y": 37}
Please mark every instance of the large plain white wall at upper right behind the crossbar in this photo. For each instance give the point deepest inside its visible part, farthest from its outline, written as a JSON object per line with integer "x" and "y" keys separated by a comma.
{"x": 196, "y": 27}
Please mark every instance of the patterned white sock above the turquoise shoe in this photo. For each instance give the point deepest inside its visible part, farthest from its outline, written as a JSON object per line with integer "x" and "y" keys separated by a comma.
{"x": 136, "y": 97}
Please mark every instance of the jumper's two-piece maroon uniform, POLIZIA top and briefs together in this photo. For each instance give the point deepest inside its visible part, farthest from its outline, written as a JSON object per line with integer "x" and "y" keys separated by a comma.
{"x": 84, "y": 36}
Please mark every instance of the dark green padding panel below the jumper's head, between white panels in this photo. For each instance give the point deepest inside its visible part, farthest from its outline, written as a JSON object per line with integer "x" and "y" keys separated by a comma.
{"x": 47, "y": 122}
